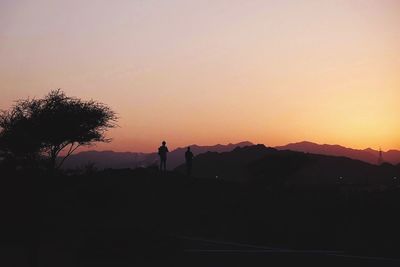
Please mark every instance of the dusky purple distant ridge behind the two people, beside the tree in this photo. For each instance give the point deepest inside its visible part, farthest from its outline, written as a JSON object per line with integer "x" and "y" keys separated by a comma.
{"x": 119, "y": 160}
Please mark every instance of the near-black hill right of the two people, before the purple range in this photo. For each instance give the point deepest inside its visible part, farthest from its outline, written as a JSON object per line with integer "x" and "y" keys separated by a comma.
{"x": 269, "y": 165}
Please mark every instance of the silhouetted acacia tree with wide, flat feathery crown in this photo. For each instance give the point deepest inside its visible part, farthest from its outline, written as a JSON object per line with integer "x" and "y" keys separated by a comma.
{"x": 45, "y": 127}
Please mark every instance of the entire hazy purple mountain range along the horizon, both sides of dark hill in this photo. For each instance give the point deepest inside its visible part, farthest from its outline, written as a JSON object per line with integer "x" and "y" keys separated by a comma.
{"x": 111, "y": 159}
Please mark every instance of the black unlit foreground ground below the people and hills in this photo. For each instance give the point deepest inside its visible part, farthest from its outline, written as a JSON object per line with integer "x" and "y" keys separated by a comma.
{"x": 142, "y": 218}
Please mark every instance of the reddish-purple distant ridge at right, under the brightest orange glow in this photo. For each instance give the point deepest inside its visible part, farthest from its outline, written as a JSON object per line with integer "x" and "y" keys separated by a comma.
{"x": 368, "y": 155}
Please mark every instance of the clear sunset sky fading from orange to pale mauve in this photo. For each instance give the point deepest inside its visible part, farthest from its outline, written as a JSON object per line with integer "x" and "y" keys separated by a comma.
{"x": 214, "y": 71}
